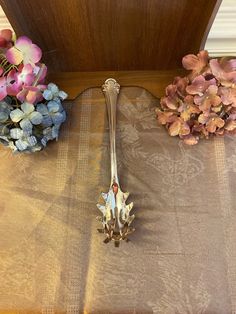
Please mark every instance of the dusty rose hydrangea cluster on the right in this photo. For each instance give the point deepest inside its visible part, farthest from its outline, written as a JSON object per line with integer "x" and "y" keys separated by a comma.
{"x": 203, "y": 103}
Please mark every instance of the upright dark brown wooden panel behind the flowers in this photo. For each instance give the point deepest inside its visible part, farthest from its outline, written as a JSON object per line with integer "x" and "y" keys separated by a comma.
{"x": 112, "y": 35}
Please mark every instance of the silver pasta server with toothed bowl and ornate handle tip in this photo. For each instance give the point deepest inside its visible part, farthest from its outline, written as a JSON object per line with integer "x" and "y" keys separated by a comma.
{"x": 116, "y": 217}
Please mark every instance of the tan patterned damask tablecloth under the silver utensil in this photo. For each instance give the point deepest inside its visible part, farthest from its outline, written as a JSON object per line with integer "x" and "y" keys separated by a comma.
{"x": 182, "y": 256}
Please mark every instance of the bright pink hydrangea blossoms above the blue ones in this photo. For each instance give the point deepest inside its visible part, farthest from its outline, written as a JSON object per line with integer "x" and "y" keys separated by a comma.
{"x": 21, "y": 74}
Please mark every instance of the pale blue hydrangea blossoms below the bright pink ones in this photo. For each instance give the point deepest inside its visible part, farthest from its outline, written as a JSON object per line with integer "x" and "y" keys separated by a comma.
{"x": 27, "y": 127}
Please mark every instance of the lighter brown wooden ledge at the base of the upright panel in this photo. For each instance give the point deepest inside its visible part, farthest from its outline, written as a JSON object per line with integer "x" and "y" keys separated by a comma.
{"x": 74, "y": 83}
